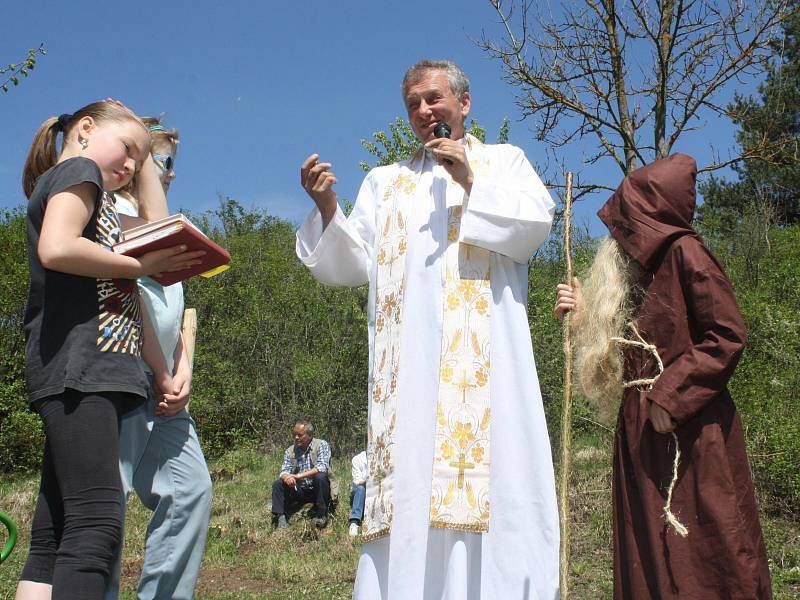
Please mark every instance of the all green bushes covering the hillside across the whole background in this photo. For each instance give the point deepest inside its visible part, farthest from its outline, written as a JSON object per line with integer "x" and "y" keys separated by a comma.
{"x": 274, "y": 345}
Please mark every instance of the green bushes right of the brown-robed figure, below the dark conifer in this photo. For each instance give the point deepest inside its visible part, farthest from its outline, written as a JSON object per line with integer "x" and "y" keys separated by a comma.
{"x": 765, "y": 385}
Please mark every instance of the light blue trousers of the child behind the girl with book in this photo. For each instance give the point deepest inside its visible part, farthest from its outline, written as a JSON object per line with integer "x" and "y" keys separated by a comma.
{"x": 161, "y": 460}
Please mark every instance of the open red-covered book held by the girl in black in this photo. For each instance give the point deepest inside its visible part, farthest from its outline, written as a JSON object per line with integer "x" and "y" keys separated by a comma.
{"x": 172, "y": 231}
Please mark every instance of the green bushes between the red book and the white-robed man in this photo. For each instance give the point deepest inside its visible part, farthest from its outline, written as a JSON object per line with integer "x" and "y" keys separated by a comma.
{"x": 272, "y": 343}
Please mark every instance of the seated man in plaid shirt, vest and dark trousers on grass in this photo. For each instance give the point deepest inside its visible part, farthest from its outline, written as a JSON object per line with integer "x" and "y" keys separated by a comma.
{"x": 303, "y": 477}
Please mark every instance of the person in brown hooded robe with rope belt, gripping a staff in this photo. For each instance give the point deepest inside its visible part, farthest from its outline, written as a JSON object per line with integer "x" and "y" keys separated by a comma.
{"x": 682, "y": 303}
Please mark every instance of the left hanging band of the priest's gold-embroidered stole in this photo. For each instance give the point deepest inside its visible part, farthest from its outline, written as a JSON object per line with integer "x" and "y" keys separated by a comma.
{"x": 389, "y": 286}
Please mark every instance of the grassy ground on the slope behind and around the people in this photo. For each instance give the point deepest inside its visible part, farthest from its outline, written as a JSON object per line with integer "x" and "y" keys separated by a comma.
{"x": 246, "y": 560}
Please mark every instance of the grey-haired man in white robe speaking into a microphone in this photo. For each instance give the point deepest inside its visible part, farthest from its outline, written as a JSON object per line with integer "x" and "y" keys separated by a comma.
{"x": 461, "y": 498}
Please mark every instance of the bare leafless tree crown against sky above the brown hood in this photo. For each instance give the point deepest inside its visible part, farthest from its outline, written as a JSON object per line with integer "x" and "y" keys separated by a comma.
{"x": 634, "y": 75}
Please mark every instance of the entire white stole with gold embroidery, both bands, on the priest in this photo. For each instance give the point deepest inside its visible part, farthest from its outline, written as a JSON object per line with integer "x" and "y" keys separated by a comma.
{"x": 460, "y": 486}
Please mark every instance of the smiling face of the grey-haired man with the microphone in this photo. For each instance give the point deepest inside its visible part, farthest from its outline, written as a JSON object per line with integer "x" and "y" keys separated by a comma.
{"x": 430, "y": 100}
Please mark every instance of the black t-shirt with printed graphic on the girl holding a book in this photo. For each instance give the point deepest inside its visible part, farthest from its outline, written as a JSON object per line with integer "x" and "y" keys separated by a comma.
{"x": 82, "y": 333}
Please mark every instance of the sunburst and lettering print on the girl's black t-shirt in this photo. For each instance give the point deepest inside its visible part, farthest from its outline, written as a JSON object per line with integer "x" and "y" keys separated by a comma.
{"x": 118, "y": 299}
